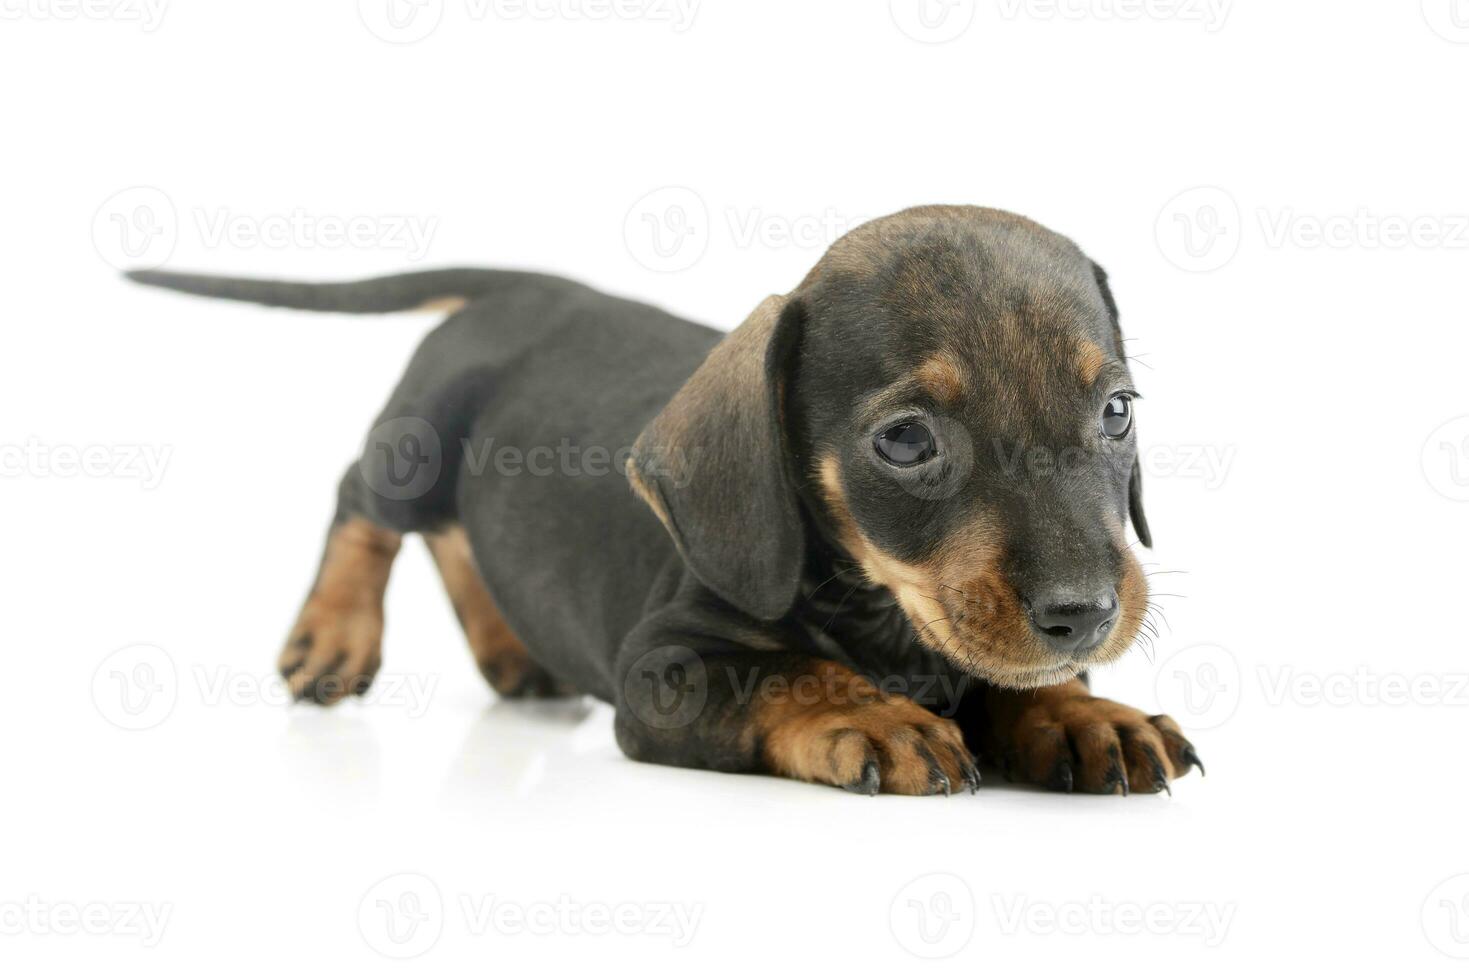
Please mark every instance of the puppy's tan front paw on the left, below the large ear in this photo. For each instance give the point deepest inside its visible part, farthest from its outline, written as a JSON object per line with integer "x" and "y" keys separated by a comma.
{"x": 859, "y": 740}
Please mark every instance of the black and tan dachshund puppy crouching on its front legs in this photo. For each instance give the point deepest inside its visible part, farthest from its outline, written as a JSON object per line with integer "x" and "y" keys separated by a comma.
{"x": 872, "y": 531}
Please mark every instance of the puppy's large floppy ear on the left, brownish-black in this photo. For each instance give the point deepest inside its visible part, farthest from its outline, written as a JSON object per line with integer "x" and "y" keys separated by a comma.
{"x": 713, "y": 466}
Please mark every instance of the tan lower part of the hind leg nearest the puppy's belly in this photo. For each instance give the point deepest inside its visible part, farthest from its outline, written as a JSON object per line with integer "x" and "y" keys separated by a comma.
{"x": 500, "y": 655}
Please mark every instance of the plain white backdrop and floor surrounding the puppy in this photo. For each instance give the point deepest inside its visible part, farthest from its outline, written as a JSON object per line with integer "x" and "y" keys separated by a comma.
{"x": 1318, "y": 558}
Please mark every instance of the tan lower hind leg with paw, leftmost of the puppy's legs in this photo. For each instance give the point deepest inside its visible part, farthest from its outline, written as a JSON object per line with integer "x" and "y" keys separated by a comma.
{"x": 336, "y": 647}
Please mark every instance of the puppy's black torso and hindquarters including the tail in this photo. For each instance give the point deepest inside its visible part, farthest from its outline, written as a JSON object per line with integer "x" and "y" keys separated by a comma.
{"x": 513, "y": 422}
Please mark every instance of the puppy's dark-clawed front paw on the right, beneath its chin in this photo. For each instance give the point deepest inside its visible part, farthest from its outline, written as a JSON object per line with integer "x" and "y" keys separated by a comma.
{"x": 1066, "y": 740}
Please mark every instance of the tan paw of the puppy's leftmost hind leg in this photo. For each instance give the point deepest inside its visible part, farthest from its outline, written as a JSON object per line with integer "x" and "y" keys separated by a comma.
{"x": 333, "y": 652}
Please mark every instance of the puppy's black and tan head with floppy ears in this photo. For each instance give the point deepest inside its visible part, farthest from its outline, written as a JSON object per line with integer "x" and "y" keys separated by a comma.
{"x": 945, "y": 400}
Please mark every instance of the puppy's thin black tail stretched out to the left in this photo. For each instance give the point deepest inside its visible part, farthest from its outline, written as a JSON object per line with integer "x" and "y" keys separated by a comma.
{"x": 443, "y": 290}
